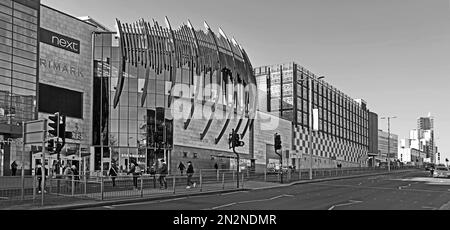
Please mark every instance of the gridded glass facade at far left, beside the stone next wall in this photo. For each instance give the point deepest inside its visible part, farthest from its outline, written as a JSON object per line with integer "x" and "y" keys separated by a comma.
{"x": 18, "y": 61}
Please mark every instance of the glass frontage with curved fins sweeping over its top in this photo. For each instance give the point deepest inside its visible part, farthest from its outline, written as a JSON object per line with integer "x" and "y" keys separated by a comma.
{"x": 139, "y": 74}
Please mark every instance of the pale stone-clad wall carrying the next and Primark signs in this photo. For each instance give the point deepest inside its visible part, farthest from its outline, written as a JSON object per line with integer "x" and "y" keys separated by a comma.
{"x": 78, "y": 75}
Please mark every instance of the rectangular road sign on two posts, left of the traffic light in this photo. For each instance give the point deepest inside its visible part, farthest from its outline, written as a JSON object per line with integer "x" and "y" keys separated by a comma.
{"x": 34, "y": 132}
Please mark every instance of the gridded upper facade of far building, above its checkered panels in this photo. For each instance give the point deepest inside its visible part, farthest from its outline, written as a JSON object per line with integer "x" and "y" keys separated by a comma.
{"x": 288, "y": 97}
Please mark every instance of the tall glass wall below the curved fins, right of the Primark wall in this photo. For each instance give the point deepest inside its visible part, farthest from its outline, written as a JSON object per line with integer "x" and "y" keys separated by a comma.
{"x": 130, "y": 131}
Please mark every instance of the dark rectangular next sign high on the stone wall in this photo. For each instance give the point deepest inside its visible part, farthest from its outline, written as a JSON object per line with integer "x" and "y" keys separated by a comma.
{"x": 58, "y": 40}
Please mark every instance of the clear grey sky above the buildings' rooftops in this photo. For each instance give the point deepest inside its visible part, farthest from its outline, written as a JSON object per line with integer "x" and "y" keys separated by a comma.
{"x": 393, "y": 54}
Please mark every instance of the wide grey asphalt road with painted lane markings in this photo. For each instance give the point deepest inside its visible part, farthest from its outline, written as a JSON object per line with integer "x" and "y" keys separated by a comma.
{"x": 406, "y": 191}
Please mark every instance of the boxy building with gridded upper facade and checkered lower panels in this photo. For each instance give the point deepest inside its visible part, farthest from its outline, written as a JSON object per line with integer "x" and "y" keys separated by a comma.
{"x": 343, "y": 135}
